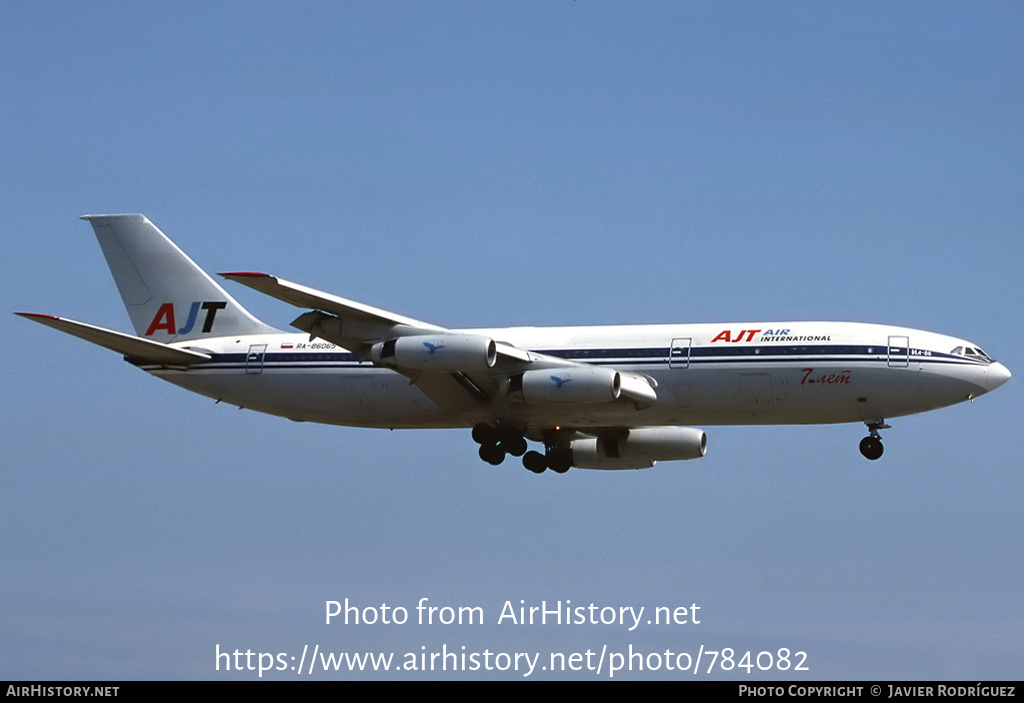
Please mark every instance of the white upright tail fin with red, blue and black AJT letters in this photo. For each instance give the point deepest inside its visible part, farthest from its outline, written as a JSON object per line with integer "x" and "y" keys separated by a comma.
{"x": 168, "y": 297}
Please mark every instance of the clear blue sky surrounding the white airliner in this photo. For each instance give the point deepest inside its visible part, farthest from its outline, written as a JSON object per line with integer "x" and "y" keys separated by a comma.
{"x": 493, "y": 164}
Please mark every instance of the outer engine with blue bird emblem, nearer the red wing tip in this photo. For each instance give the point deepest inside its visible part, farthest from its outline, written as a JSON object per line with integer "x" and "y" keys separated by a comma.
{"x": 445, "y": 354}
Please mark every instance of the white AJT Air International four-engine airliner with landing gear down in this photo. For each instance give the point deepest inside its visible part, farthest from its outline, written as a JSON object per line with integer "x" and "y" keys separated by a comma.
{"x": 594, "y": 398}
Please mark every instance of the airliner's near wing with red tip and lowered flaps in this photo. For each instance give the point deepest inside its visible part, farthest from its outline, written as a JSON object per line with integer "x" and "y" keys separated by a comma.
{"x": 373, "y": 334}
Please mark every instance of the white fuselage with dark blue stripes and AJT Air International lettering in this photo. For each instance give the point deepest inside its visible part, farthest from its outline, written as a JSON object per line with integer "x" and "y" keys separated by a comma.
{"x": 717, "y": 374}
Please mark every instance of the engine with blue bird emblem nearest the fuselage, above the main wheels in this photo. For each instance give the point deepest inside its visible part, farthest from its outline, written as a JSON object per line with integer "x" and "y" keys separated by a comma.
{"x": 566, "y": 386}
